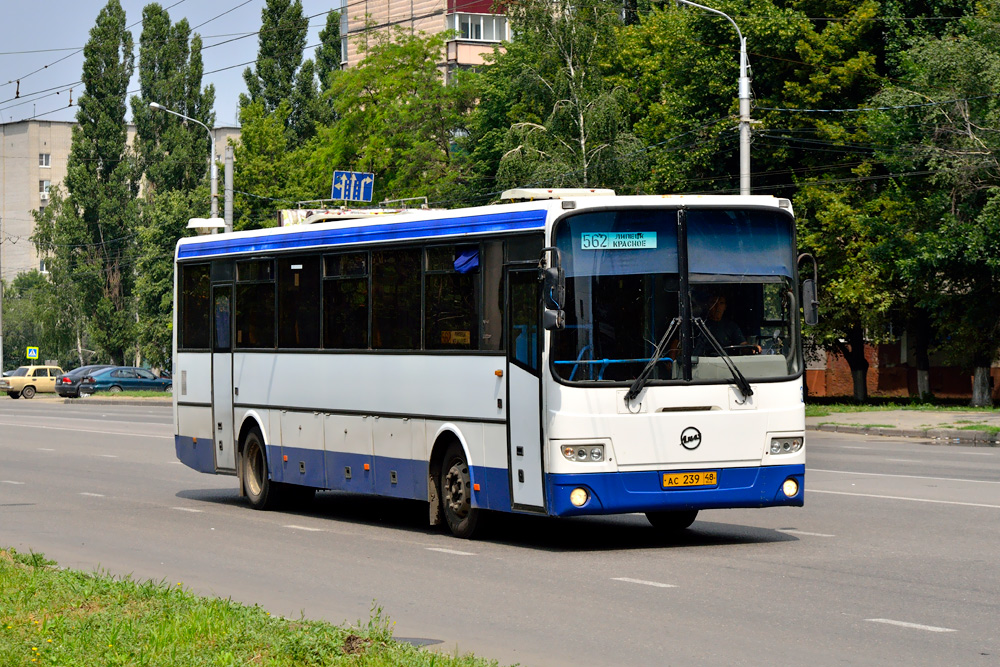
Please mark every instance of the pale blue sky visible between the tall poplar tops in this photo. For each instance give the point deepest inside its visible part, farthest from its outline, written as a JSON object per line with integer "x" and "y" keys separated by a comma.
{"x": 41, "y": 44}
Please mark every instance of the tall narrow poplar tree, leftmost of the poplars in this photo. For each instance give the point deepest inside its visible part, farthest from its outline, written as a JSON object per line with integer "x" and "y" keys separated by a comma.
{"x": 90, "y": 235}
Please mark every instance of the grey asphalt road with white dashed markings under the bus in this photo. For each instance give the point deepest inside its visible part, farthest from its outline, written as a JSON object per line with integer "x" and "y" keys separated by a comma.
{"x": 894, "y": 559}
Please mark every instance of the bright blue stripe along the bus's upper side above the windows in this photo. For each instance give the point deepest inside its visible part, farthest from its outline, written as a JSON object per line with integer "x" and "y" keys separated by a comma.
{"x": 476, "y": 224}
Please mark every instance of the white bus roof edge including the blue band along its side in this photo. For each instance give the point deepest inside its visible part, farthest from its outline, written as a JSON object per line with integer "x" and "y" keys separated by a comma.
{"x": 416, "y": 224}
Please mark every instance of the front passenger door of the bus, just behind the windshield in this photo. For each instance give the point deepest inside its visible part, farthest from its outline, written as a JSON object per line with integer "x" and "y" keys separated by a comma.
{"x": 524, "y": 395}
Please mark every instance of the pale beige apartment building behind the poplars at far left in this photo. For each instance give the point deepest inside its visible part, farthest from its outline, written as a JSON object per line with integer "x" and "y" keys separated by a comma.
{"x": 33, "y": 157}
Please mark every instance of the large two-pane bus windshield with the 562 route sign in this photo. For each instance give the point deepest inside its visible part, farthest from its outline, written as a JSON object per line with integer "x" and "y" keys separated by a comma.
{"x": 623, "y": 287}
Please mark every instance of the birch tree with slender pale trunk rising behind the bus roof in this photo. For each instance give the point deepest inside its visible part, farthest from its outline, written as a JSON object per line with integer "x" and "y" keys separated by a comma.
{"x": 576, "y": 131}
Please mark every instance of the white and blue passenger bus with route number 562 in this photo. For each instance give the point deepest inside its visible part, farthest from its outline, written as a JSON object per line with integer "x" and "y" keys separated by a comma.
{"x": 568, "y": 353}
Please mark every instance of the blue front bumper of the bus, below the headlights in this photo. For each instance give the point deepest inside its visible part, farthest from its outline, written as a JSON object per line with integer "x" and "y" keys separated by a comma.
{"x": 626, "y": 492}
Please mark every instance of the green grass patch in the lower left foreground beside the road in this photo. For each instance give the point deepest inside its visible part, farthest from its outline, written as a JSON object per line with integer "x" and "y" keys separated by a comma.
{"x": 50, "y": 616}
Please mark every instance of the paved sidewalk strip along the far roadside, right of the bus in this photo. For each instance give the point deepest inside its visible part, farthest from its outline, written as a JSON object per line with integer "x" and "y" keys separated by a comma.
{"x": 951, "y": 427}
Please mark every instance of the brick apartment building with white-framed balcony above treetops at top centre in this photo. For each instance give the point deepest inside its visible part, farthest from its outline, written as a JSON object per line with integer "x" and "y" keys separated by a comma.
{"x": 477, "y": 28}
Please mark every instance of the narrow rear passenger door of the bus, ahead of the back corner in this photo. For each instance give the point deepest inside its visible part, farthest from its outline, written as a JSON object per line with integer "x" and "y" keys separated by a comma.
{"x": 222, "y": 376}
